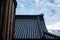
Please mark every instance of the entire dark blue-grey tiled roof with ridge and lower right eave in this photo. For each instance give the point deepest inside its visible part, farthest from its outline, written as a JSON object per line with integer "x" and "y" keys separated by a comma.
{"x": 32, "y": 27}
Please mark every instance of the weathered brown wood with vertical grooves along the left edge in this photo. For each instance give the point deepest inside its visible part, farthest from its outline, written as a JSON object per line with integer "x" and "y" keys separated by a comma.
{"x": 7, "y": 15}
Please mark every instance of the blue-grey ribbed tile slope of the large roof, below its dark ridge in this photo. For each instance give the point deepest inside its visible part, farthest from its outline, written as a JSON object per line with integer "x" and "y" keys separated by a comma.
{"x": 26, "y": 28}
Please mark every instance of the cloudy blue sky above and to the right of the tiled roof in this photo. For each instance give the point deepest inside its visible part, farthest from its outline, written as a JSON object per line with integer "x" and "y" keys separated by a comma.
{"x": 50, "y": 9}
